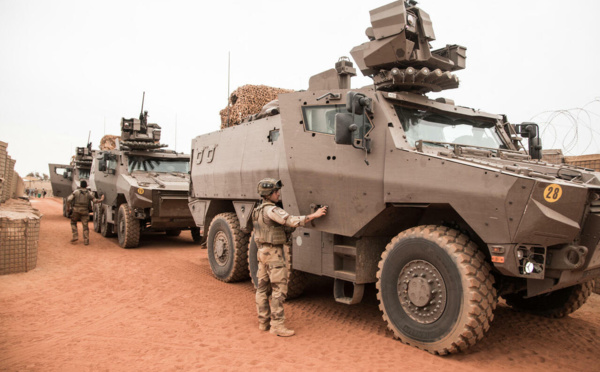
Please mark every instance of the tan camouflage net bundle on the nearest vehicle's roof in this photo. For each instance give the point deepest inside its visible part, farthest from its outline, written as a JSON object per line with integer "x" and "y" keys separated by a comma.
{"x": 248, "y": 100}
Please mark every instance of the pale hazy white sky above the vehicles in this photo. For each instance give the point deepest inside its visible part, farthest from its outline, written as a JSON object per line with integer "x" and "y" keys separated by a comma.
{"x": 71, "y": 67}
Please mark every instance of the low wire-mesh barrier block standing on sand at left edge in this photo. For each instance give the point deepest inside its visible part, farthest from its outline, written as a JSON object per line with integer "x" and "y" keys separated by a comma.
{"x": 19, "y": 235}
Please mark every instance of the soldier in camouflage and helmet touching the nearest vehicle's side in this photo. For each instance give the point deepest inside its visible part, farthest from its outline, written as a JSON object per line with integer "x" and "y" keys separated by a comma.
{"x": 270, "y": 226}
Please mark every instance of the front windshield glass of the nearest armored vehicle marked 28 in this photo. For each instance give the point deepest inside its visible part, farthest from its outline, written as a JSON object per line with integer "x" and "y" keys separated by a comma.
{"x": 435, "y": 127}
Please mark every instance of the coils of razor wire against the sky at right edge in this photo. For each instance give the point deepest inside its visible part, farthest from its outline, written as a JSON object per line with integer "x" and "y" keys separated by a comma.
{"x": 575, "y": 131}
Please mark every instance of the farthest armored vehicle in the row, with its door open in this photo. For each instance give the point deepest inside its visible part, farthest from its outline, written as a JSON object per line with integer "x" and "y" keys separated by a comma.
{"x": 66, "y": 178}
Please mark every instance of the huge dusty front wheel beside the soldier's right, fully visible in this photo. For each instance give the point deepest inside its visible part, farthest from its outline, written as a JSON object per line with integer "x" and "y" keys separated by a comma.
{"x": 436, "y": 289}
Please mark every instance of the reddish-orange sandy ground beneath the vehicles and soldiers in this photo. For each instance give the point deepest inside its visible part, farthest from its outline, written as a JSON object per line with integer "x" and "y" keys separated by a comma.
{"x": 158, "y": 308}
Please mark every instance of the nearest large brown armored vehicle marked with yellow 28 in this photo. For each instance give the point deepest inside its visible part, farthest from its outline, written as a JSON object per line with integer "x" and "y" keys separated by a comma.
{"x": 440, "y": 205}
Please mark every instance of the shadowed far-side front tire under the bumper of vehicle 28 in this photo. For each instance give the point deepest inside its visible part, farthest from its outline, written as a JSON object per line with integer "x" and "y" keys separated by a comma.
{"x": 557, "y": 304}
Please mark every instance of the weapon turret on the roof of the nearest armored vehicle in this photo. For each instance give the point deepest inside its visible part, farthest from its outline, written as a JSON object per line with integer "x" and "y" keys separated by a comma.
{"x": 398, "y": 55}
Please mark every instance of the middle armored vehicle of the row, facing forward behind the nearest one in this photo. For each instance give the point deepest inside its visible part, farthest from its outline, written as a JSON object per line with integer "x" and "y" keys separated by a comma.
{"x": 145, "y": 186}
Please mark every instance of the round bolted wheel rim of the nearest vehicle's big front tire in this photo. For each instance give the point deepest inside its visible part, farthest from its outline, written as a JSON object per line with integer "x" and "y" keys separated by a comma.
{"x": 422, "y": 291}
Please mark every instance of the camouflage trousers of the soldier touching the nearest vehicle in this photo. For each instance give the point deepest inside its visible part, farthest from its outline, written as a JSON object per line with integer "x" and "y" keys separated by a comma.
{"x": 272, "y": 277}
